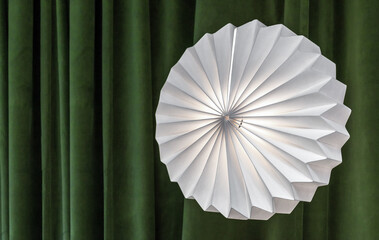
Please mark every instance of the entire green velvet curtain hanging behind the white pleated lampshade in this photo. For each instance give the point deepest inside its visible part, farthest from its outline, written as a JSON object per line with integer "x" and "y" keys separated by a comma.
{"x": 79, "y": 85}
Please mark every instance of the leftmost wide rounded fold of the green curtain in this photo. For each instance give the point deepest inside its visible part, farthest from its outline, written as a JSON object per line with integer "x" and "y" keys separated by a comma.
{"x": 24, "y": 138}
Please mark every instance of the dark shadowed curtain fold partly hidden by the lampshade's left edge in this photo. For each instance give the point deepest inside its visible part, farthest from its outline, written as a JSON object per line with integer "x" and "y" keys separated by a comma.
{"x": 171, "y": 32}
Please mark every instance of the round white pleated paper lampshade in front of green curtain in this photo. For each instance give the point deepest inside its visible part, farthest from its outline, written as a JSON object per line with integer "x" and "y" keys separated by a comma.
{"x": 251, "y": 121}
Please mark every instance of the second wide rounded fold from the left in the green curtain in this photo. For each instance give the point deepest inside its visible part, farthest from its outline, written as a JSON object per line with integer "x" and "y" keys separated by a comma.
{"x": 86, "y": 182}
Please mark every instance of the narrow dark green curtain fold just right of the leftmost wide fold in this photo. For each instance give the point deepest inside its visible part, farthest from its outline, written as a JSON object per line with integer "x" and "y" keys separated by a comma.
{"x": 52, "y": 212}
